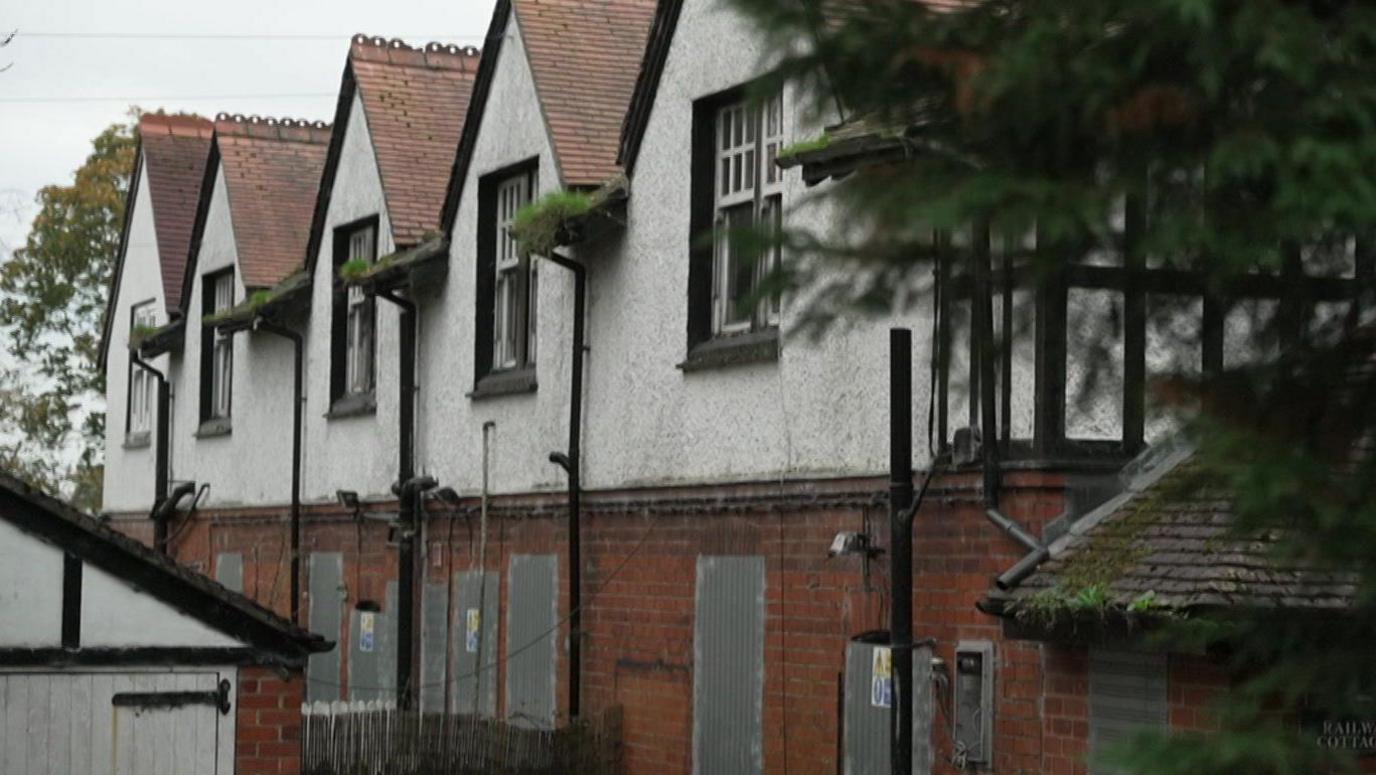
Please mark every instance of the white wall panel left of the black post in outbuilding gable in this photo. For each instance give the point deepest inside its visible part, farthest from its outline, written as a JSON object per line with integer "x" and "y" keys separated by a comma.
{"x": 31, "y": 591}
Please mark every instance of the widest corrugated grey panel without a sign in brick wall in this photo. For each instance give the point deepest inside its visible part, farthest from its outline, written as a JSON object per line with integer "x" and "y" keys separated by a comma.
{"x": 729, "y": 666}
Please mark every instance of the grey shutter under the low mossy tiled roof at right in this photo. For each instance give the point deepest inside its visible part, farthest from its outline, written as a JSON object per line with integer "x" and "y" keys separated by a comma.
{"x": 1128, "y": 694}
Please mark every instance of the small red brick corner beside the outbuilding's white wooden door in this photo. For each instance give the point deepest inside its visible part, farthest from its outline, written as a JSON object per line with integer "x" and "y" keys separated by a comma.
{"x": 268, "y": 723}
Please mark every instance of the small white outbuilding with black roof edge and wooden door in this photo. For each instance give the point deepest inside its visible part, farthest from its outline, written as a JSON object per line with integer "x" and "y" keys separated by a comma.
{"x": 118, "y": 660}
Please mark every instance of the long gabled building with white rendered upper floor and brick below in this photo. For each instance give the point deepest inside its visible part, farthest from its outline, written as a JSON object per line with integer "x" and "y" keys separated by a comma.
{"x": 455, "y": 408}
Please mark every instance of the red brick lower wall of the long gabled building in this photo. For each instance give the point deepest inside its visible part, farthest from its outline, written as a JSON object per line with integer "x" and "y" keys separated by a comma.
{"x": 641, "y": 551}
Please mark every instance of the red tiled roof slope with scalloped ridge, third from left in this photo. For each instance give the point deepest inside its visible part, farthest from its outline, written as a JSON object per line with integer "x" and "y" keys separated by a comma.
{"x": 416, "y": 101}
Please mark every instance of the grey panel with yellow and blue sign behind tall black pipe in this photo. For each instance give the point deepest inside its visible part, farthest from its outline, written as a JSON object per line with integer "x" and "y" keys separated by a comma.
{"x": 868, "y": 726}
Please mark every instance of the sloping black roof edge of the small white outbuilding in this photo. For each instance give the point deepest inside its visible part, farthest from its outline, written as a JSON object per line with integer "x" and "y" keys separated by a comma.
{"x": 156, "y": 575}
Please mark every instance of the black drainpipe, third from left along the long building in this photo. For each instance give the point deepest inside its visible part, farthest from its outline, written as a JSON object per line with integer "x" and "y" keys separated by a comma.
{"x": 408, "y": 506}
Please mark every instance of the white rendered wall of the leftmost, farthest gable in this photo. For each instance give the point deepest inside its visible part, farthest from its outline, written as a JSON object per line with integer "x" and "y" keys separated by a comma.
{"x": 129, "y": 473}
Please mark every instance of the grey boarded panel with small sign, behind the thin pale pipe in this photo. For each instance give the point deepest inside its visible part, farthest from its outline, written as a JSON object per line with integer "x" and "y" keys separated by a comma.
{"x": 475, "y": 664}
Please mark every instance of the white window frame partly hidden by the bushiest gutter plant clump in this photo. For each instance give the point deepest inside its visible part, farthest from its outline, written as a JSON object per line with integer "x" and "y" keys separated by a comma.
{"x": 515, "y": 283}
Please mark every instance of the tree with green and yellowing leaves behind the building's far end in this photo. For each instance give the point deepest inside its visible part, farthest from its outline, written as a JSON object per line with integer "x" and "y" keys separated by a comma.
{"x": 53, "y": 295}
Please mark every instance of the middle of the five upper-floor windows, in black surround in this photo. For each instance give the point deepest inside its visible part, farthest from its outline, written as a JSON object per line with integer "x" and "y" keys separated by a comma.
{"x": 354, "y": 324}
